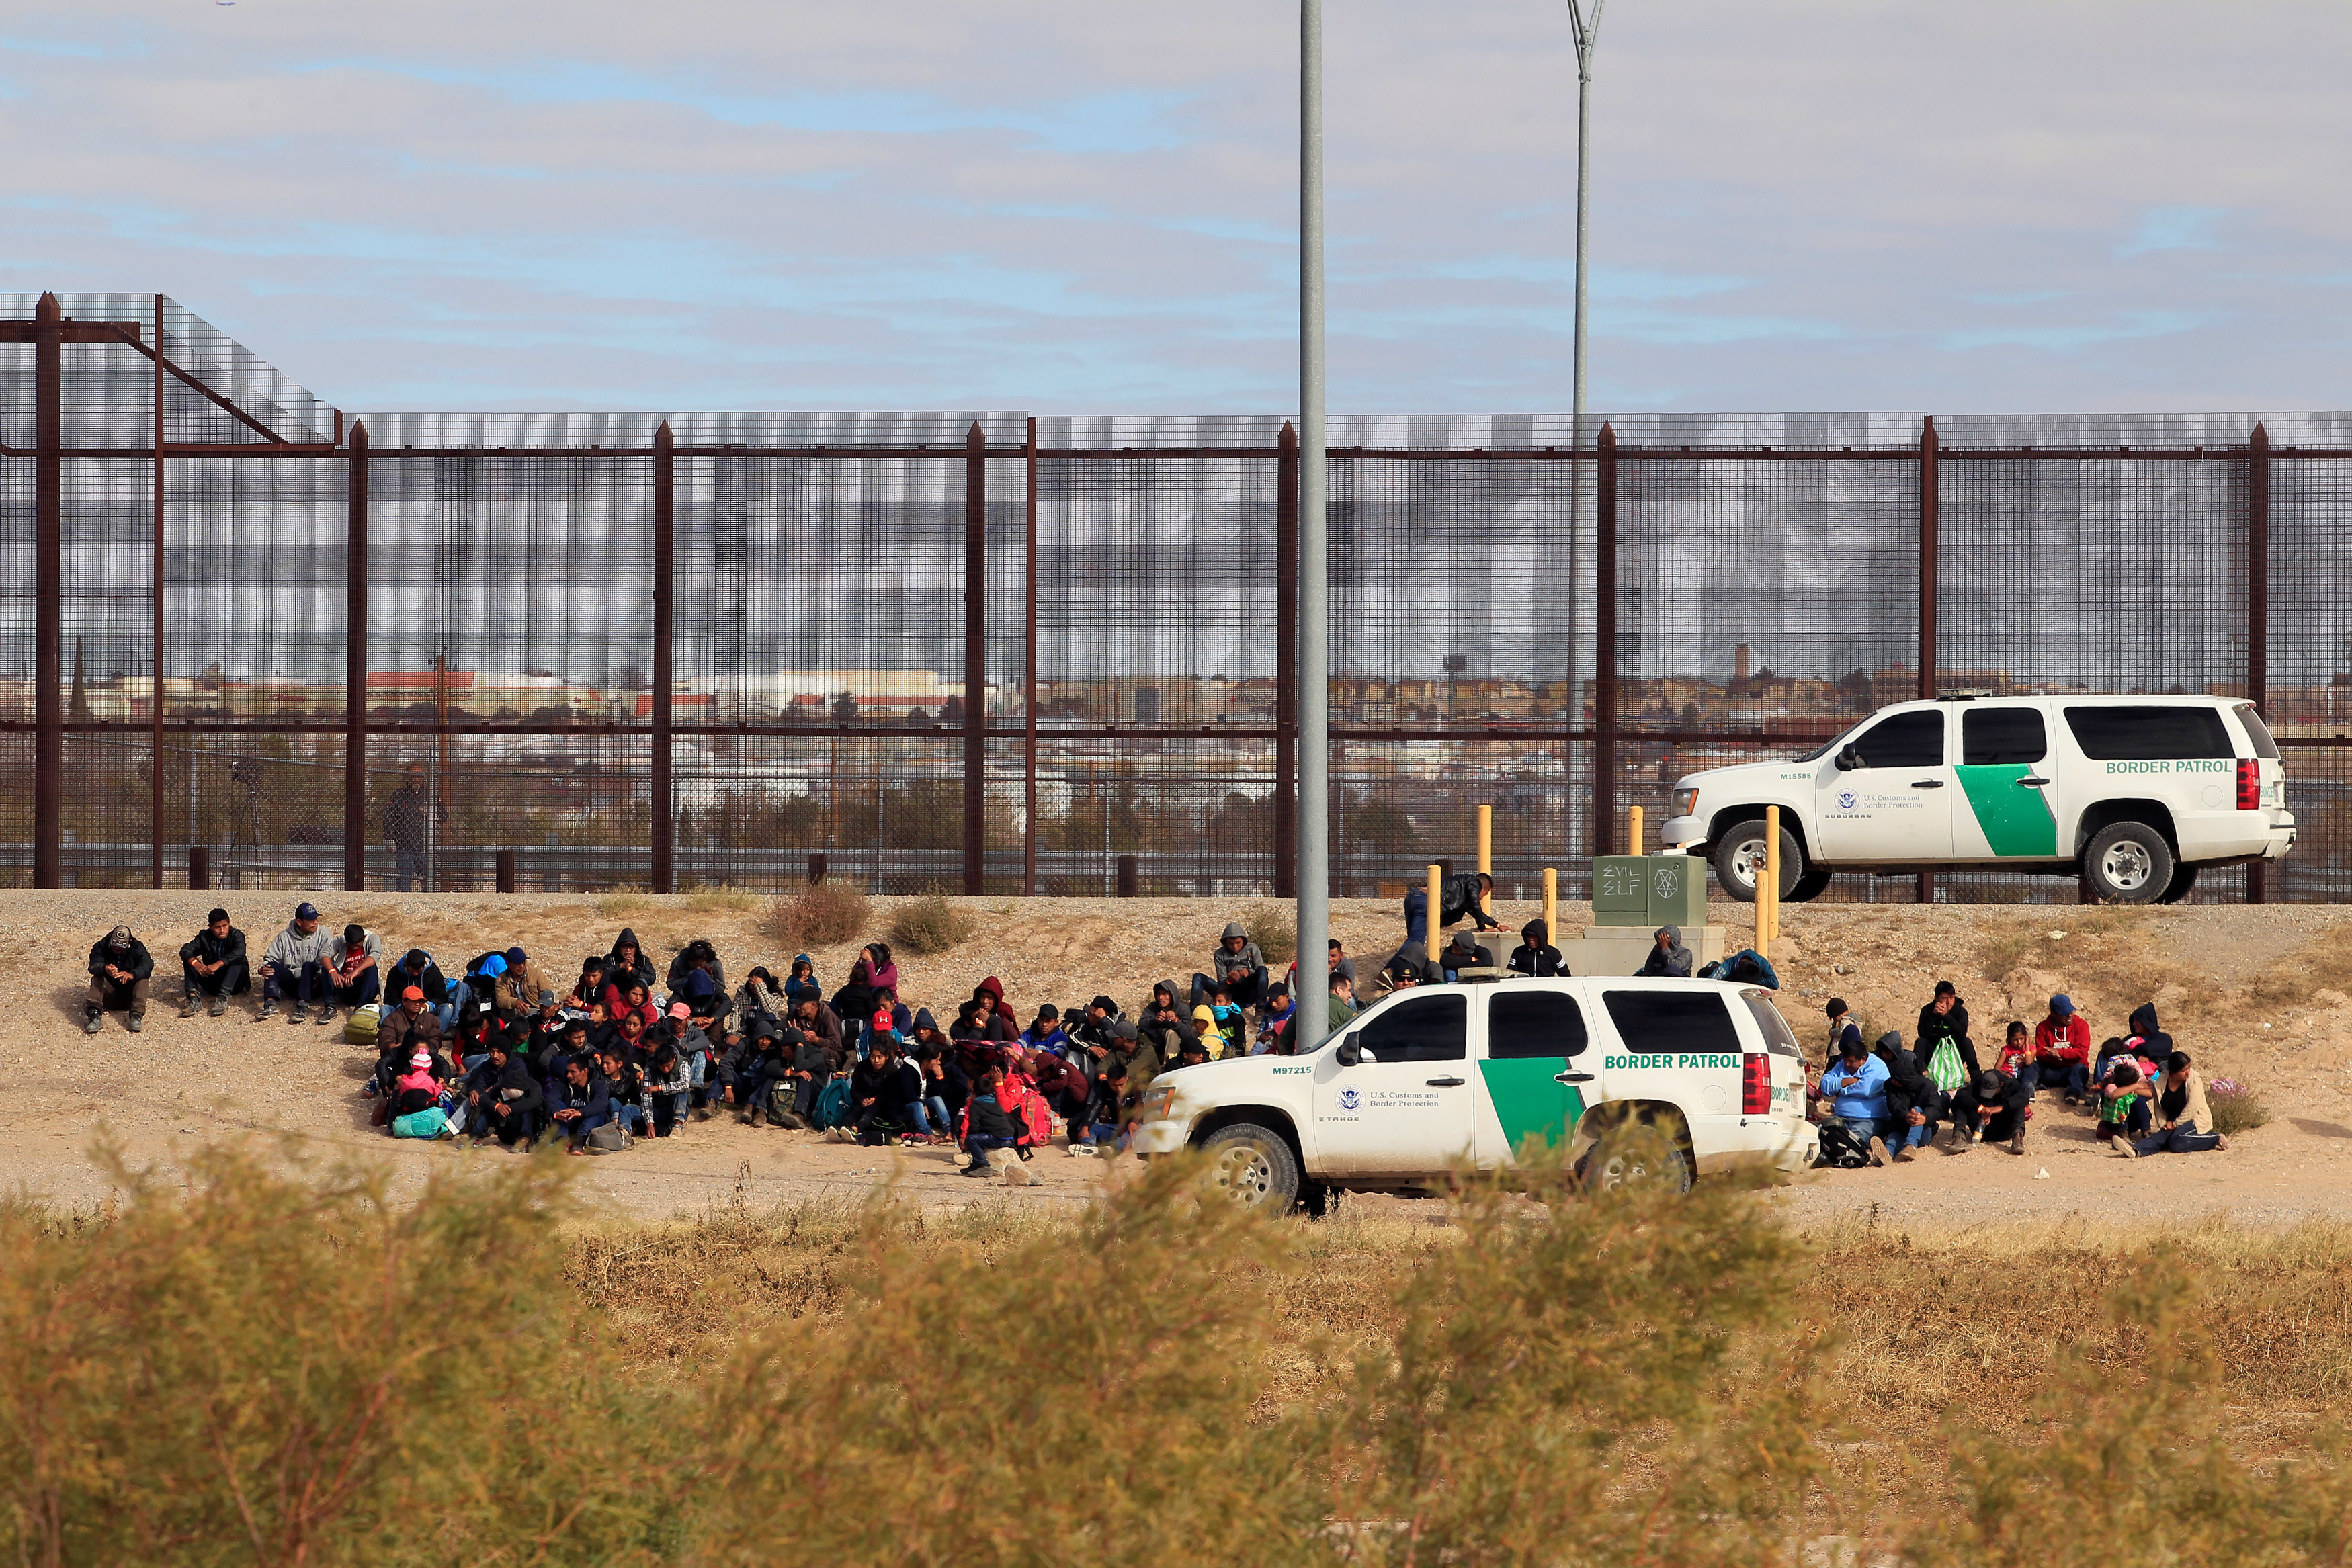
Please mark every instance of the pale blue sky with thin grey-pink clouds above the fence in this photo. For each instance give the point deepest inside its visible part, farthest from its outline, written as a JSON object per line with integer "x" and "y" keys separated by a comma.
{"x": 1083, "y": 208}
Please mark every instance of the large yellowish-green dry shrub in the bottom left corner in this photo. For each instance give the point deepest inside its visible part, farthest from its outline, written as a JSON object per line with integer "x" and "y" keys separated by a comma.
{"x": 281, "y": 1372}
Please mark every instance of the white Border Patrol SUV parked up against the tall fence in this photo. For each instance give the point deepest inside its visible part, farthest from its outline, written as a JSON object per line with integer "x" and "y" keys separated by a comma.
{"x": 2134, "y": 793}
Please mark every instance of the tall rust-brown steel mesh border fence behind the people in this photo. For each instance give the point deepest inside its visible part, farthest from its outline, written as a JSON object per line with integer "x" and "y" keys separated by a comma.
{"x": 991, "y": 652}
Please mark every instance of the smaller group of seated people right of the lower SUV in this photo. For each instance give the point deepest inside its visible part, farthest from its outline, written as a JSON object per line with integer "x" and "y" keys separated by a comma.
{"x": 2144, "y": 1092}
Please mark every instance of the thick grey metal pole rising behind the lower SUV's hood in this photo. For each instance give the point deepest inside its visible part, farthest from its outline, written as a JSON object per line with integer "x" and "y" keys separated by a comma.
{"x": 1314, "y": 556}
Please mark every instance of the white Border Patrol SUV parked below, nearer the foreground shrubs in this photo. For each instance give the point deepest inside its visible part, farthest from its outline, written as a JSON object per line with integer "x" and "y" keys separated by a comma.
{"x": 1445, "y": 1073}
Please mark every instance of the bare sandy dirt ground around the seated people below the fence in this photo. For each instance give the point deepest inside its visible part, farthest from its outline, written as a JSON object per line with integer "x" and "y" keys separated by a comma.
{"x": 2252, "y": 993}
